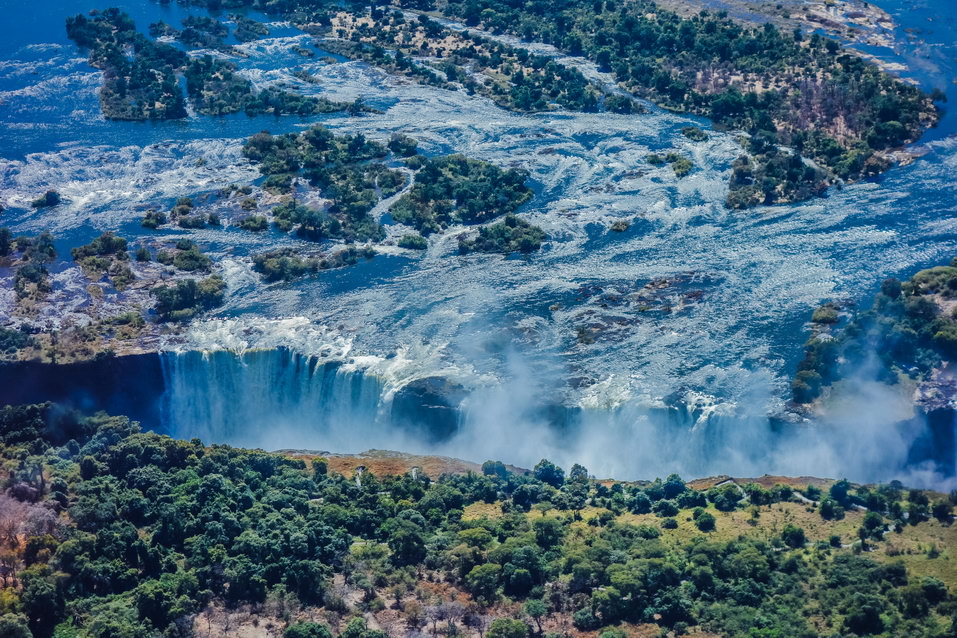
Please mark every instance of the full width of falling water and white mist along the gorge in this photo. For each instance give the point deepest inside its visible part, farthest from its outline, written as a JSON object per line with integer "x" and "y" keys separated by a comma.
{"x": 278, "y": 399}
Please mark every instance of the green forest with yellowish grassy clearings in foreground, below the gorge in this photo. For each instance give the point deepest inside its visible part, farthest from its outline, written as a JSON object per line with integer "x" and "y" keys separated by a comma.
{"x": 111, "y": 531}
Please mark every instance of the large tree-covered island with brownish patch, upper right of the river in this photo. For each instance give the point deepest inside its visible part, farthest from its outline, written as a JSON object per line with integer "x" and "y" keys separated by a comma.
{"x": 782, "y": 88}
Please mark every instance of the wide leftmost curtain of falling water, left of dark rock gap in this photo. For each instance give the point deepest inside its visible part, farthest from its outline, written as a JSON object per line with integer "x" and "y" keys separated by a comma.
{"x": 278, "y": 398}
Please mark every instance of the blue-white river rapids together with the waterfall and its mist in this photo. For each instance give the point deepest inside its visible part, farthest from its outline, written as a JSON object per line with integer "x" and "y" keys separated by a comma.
{"x": 696, "y": 312}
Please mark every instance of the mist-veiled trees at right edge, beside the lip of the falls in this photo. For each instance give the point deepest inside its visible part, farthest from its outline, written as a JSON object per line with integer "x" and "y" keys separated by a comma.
{"x": 910, "y": 331}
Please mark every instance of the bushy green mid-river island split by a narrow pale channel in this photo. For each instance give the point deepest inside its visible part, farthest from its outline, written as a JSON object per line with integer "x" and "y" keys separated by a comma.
{"x": 349, "y": 173}
